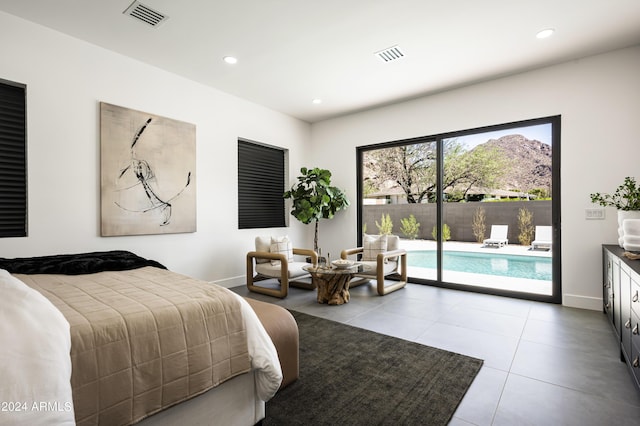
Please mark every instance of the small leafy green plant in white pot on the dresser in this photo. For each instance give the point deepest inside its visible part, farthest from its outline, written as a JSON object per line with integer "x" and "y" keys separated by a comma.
{"x": 626, "y": 199}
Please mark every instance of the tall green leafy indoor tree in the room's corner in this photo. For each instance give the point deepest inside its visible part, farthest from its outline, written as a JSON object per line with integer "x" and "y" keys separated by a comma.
{"x": 314, "y": 198}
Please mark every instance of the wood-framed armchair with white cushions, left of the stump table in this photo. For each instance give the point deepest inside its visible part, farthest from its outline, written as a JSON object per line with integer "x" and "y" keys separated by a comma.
{"x": 274, "y": 258}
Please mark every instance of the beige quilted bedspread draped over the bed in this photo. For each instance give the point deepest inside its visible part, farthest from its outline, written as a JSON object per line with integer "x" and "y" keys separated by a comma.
{"x": 145, "y": 339}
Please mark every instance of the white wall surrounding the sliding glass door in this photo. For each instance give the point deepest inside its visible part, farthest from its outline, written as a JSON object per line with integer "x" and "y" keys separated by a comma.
{"x": 599, "y": 101}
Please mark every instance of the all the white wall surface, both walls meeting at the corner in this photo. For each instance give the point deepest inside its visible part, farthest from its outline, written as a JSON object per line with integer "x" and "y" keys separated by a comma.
{"x": 597, "y": 97}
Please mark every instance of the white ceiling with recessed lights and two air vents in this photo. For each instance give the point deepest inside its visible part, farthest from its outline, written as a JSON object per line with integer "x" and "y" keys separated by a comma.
{"x": 291, "y": 52}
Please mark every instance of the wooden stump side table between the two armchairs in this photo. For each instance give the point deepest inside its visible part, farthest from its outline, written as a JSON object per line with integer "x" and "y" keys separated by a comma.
{"x": 333, "y": 283}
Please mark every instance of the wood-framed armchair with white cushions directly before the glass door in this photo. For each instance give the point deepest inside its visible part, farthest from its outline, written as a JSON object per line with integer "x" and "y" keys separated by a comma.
{"x": 385, "y": 257}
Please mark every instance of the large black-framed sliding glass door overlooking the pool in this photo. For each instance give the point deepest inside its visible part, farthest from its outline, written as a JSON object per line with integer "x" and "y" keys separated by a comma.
{"x": 476, "y": 209}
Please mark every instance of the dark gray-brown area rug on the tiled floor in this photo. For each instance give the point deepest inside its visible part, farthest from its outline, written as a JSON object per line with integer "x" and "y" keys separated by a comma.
{"x": 352, "y": 376}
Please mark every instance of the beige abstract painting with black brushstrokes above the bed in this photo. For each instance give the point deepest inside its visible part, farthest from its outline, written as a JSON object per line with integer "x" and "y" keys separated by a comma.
{"x": 147, "y": 173}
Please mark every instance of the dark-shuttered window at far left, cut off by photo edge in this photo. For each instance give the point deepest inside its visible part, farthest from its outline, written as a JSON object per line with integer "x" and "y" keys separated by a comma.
{"x": 13, "y": 160}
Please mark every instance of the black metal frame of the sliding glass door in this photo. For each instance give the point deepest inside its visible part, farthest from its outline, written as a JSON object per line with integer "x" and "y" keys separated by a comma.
{"x": 554, "y": 121}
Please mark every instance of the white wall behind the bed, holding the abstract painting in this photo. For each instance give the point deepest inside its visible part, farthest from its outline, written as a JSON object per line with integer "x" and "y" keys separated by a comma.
{"x": 66, "y": 79}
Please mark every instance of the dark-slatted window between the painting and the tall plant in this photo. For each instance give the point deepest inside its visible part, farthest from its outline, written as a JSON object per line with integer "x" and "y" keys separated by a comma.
{"x": 261, "y": 180}
